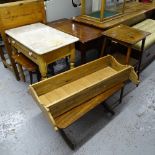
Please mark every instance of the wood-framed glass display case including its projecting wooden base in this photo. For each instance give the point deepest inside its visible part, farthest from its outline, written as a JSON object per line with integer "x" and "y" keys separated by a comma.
{"x": 97, "y": 12}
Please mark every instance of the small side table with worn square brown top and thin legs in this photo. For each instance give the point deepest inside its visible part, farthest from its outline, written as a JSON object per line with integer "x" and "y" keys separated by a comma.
{"x": 128, "y": 37}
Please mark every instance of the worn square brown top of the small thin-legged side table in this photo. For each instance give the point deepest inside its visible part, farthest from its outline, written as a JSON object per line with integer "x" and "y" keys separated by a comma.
{"x": 125, "y": 34}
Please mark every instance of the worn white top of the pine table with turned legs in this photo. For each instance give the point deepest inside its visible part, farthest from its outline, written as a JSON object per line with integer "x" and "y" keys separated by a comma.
{"x": 41, "y": 38}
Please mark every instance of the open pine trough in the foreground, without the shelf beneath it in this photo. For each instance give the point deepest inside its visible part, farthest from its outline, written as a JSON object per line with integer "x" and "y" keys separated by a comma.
{"x": 68, "y": 90}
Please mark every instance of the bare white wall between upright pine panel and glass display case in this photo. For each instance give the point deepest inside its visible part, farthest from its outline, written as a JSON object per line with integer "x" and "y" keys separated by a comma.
{"x": 57, "y": 9}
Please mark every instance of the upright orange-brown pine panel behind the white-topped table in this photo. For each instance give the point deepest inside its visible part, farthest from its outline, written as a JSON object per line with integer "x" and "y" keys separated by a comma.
{"x": 21, "y": 13}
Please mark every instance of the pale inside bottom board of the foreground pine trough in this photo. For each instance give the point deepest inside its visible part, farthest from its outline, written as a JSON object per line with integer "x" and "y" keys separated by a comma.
{"x": 74, "y": 87}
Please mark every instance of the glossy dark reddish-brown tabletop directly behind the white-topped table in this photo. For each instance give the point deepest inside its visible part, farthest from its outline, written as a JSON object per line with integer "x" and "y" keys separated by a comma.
{"x": 85, "y": 33}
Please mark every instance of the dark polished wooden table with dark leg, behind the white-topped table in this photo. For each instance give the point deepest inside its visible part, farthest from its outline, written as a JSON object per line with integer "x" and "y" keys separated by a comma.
{"x": 89, "y": 37}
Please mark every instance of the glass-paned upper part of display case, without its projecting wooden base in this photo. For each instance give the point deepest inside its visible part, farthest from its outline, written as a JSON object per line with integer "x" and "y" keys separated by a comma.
{"x": 99, "y": 10}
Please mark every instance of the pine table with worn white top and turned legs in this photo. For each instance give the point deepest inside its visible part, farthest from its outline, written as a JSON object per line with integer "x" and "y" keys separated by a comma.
{"x": 42, "y": 44}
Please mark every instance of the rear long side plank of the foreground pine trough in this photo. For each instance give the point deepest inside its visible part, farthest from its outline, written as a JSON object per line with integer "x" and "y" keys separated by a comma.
{"x": 67, "y": 77}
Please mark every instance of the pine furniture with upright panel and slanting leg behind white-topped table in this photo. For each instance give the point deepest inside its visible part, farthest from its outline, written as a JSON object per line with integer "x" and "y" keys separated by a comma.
{"x": 28, "y": 12}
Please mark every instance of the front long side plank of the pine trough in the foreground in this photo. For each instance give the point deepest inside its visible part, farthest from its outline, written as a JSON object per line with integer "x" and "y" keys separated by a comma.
{"x": 89, "y": 92}
